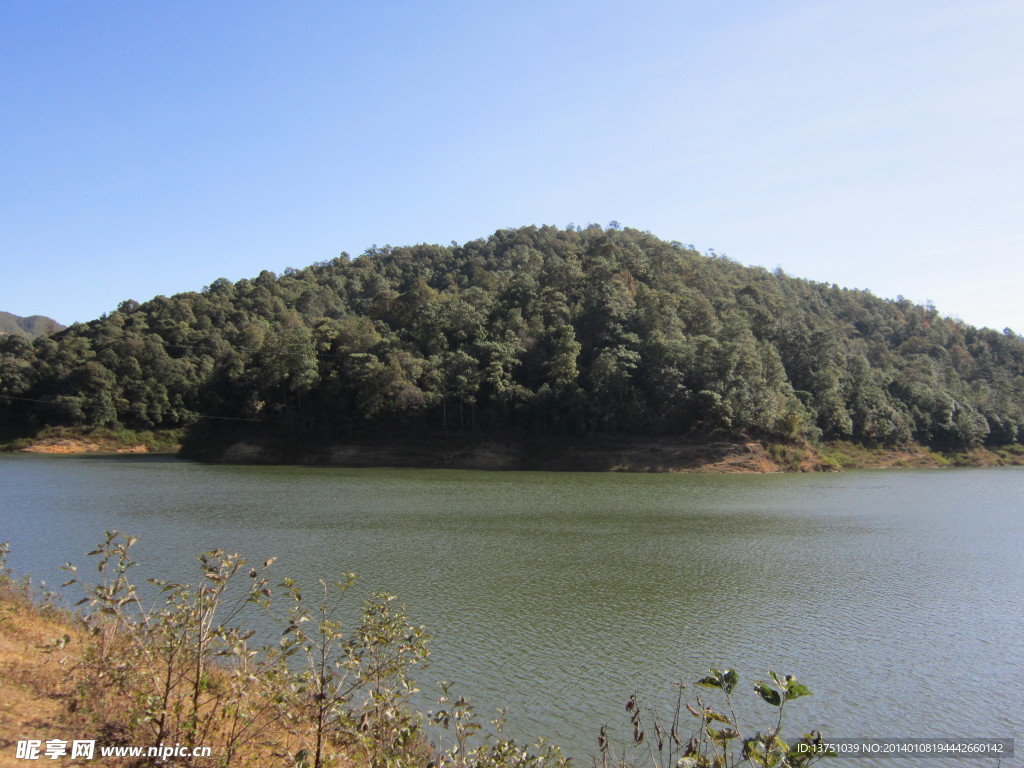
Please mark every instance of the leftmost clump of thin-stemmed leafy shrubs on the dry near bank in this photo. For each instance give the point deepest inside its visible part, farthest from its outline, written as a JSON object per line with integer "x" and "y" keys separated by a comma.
{"x": 158, "y": 657}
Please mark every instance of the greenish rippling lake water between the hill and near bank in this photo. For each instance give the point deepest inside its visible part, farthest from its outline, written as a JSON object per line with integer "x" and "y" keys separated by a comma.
{"x": 897, "y": 596}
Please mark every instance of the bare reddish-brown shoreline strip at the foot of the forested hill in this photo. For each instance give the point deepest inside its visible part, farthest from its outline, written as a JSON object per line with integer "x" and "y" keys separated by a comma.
{"x": 708, "y": 454}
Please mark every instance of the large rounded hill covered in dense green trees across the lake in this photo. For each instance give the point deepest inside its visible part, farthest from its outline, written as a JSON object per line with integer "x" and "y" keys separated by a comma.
{"x": 533, "y": 331}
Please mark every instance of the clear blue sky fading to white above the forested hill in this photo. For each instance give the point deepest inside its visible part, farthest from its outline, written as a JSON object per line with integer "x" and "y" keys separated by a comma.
{"x": 151, "y": 148}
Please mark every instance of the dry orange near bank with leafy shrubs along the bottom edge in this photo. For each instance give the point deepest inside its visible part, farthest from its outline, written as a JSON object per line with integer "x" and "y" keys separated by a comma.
{"x": 181, "y": 669}
